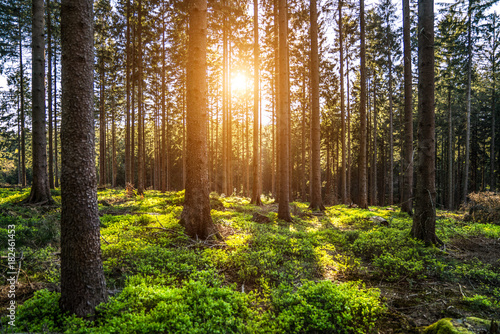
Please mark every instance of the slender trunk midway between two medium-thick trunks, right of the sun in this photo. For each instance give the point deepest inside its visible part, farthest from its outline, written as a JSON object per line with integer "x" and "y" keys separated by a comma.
{"x": 343, "y": 182}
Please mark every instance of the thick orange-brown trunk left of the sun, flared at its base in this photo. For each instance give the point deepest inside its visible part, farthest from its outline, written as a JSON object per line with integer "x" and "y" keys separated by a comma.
{"x": 195, "y": 216}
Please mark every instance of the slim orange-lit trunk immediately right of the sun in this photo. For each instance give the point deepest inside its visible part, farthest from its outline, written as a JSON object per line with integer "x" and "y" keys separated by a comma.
{"x": 256, "y": 189}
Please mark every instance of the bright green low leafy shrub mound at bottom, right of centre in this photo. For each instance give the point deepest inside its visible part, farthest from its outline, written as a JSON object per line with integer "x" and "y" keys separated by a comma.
{"x": 322, "y": 307}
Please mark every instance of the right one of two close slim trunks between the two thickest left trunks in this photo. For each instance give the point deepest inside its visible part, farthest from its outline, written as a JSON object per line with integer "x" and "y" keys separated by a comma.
{"x": 140, "y": 117}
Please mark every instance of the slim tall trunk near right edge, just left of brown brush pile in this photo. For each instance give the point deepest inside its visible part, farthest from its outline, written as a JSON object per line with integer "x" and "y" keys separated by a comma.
{"x": 469, "y": 88}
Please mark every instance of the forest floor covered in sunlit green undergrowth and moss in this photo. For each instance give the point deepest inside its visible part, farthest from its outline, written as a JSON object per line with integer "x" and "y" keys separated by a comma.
{"x": 334, "y": 272}
